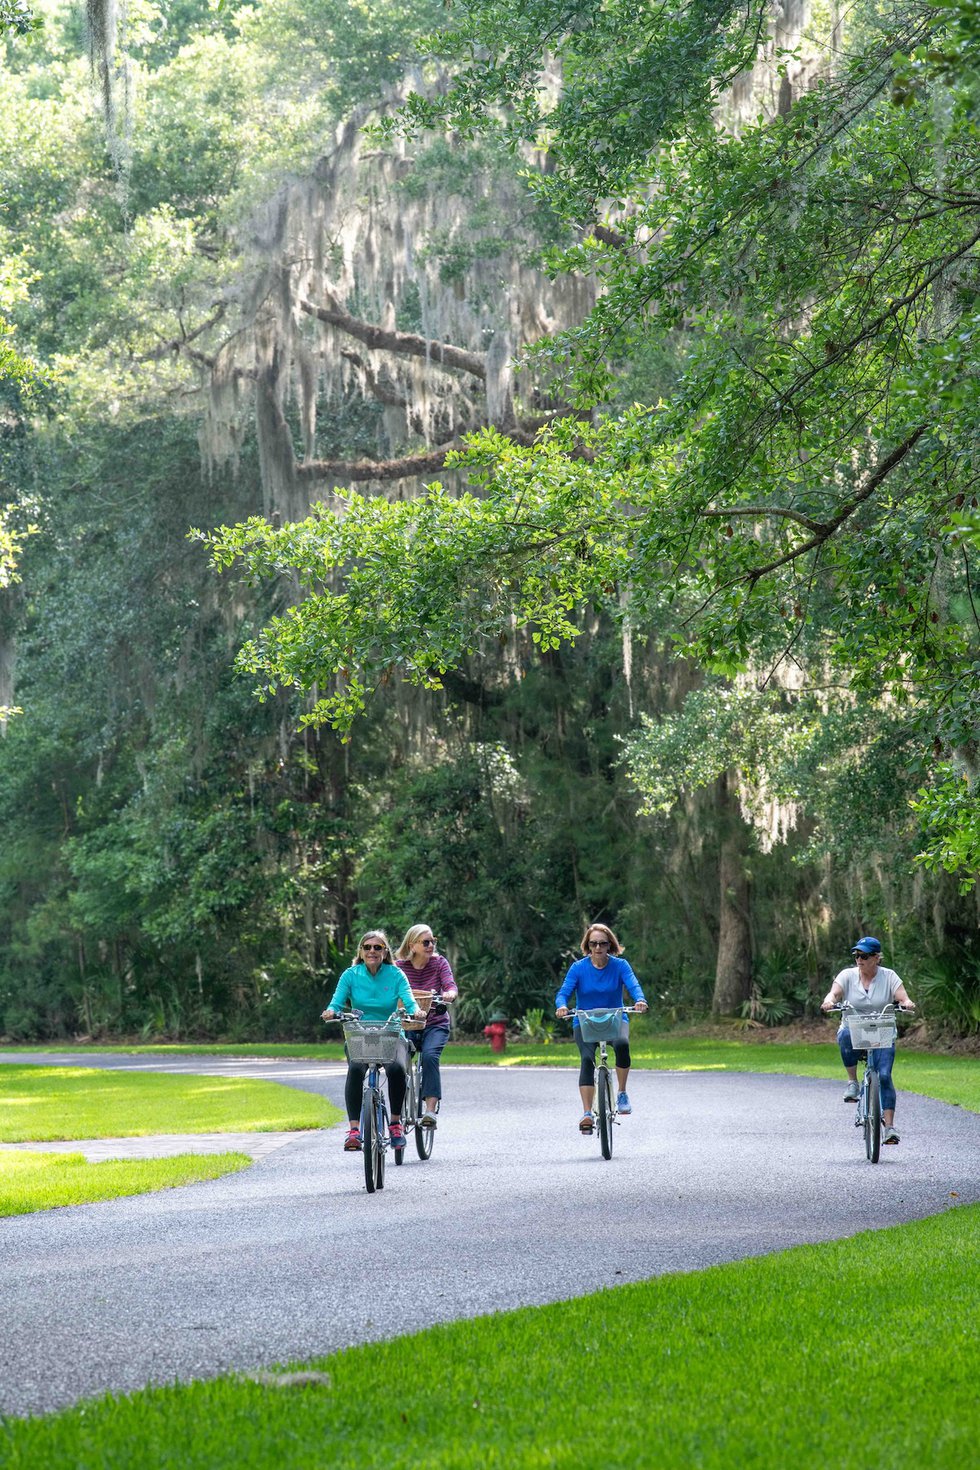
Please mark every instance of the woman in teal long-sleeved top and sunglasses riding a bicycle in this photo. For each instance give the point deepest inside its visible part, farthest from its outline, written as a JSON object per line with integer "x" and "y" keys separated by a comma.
{"x": 374, "y": 986}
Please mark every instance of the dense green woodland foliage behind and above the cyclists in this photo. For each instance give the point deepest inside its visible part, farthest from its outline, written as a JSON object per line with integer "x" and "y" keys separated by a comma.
{"x": 680, "y": 662}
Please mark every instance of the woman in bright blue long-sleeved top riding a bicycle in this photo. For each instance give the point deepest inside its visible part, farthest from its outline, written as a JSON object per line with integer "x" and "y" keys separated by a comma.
{"x": 599, "y": 983}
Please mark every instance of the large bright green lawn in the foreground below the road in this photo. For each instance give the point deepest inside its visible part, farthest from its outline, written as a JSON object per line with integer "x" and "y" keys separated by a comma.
{"x": 828, "y": 1356}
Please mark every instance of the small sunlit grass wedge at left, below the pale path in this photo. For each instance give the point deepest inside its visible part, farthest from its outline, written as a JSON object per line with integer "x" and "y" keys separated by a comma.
{"x": 37, "y": 1181}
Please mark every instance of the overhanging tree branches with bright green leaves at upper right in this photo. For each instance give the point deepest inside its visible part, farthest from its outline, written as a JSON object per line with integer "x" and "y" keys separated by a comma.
{"x": 790, "y": 509}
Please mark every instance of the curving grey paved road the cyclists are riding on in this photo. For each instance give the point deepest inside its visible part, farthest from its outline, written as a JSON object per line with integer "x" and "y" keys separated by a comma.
{"x": 293, "y": 1259}
